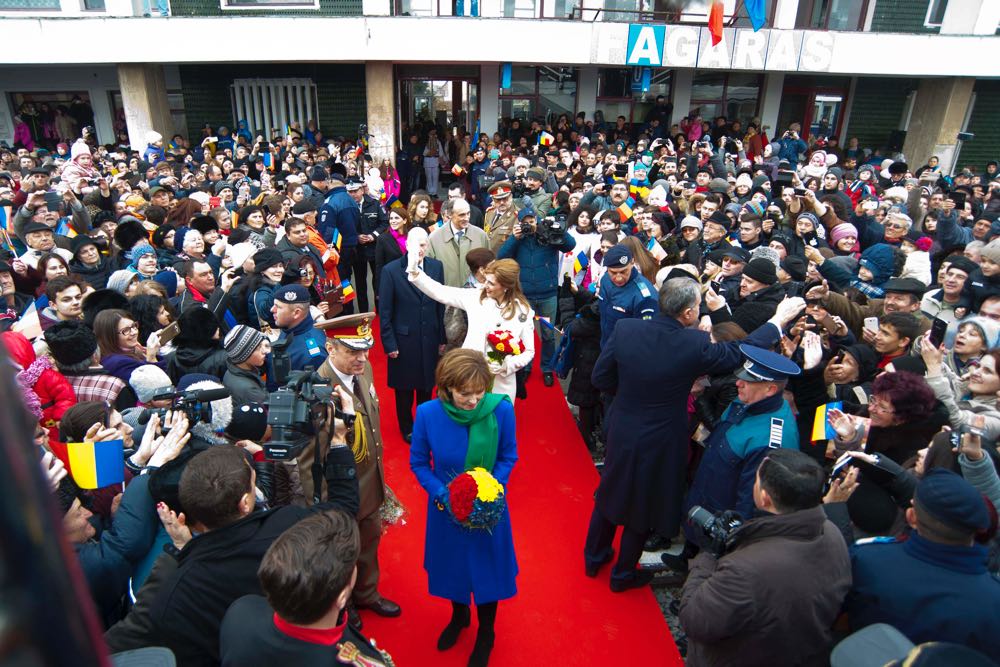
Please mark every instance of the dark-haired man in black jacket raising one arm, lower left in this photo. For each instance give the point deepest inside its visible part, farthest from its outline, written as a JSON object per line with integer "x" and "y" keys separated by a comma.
{"x": 183, "y": 601}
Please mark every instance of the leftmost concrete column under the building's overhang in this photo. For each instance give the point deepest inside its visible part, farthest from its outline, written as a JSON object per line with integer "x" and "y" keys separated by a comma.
{"x": 144, "y": 96}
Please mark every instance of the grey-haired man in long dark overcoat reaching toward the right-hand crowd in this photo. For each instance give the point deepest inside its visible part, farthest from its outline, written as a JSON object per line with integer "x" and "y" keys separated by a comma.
{"x": 642, "y": 485}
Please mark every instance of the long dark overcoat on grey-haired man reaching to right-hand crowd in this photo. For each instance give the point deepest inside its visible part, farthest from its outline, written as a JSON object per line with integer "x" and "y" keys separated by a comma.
{"x": 642, "y": 486}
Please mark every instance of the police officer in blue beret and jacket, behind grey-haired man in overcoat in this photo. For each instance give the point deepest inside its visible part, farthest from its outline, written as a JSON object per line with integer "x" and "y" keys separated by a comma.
{"x": 623, "y": 291}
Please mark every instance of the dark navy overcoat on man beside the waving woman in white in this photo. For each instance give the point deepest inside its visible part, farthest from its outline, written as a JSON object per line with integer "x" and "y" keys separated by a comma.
{"x": 411, "y": 323}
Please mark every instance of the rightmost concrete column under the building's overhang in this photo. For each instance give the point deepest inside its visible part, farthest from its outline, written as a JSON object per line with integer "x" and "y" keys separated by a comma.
{"x": 938, "y": 115}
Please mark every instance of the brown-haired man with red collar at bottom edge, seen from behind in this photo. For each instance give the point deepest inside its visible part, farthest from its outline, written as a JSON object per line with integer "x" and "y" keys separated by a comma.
{"x": 307, "y": 576}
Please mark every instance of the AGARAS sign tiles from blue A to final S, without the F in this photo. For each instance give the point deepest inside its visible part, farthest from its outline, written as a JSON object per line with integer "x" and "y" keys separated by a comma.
{"x": 740, "y": 48}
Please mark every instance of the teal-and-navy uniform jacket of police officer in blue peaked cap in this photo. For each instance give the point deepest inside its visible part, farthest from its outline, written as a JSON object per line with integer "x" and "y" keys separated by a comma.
{"x": 738, "y": 444}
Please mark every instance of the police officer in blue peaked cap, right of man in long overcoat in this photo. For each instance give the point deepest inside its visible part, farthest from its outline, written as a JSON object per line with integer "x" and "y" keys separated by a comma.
{"x": 758, "y": 421}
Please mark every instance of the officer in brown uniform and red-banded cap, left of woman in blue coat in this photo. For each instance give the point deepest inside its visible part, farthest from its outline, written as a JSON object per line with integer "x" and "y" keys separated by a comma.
{"x": 348, "y": 343}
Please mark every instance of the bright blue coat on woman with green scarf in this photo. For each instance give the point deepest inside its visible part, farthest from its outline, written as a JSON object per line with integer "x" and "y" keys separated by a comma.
{"x": 460, "y": 561}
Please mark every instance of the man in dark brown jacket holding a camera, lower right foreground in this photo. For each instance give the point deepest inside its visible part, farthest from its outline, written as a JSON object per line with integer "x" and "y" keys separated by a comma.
{"x": 765, "y": 601}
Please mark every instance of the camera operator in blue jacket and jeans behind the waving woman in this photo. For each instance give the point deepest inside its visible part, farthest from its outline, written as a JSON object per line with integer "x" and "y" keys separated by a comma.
{"x": 539, "y": 252}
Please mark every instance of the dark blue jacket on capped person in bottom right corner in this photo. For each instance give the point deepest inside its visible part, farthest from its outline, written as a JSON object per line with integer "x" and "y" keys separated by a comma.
{"x": 928, "y": 591}
